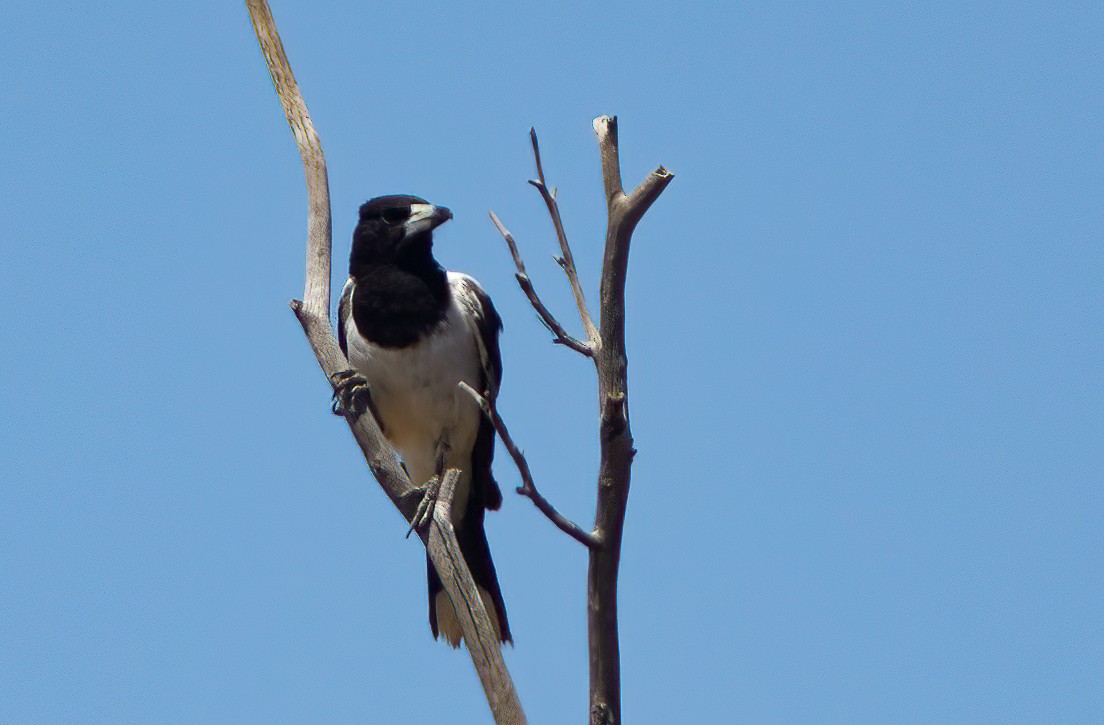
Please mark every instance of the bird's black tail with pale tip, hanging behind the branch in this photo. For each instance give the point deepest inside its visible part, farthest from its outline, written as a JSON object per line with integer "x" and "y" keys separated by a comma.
{"x": 443, "y": 620}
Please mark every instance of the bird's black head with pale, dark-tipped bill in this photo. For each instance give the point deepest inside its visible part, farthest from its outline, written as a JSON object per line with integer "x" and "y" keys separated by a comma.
{"x": 396, "y": 230}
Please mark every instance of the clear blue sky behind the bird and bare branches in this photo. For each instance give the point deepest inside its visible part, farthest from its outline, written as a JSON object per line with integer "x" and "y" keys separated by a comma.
{"x": 865, "y": 334}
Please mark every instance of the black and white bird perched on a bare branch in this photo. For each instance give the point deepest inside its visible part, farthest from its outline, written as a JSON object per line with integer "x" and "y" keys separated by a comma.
{"x": 415, "y": 332}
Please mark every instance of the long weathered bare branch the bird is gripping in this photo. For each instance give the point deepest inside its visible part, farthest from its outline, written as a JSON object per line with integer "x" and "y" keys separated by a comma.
{"x": 314, "y": 315}
